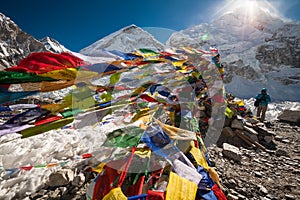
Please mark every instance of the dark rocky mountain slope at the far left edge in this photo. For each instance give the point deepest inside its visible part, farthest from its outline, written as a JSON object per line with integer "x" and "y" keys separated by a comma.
{"x": 15, "y": 44}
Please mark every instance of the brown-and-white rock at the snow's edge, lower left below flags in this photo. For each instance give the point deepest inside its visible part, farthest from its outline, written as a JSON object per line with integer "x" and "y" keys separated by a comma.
{"x": 61, "y": 178}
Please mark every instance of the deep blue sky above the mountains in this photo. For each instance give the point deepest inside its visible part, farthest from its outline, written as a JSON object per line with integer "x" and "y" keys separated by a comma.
{"x": 77, "y": 24}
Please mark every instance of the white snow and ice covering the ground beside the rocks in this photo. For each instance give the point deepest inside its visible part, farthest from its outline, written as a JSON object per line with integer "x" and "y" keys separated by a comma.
{"x": 64, "y": 147}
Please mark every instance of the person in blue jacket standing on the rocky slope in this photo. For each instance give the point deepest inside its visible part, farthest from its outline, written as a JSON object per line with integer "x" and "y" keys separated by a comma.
{"x": 264, "y": 100}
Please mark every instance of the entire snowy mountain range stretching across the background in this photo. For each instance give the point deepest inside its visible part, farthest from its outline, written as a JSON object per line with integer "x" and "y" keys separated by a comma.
{"x": 259, "y": 52}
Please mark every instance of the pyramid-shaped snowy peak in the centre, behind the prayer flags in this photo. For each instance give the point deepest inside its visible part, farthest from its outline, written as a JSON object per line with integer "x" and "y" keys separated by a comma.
{"x": 126, "y": 39}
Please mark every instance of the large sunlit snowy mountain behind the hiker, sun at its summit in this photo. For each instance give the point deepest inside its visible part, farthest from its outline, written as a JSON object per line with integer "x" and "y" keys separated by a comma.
{"x": 258, "y": 49}
